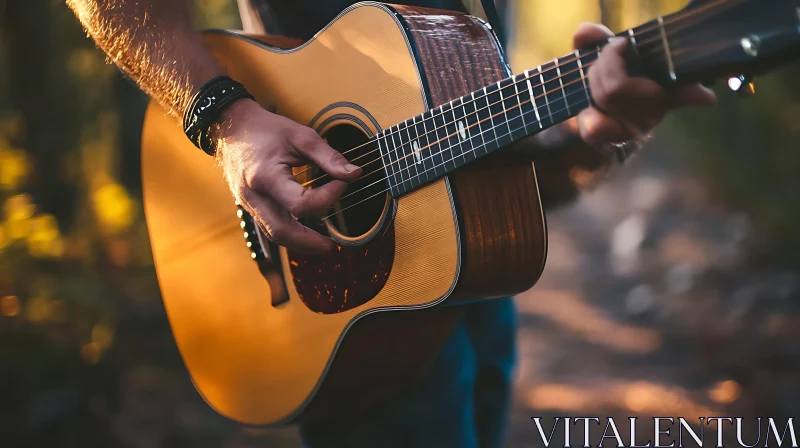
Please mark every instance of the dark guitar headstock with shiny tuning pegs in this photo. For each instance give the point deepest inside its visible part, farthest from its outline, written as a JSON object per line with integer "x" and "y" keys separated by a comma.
{"x": 711, "y": 39}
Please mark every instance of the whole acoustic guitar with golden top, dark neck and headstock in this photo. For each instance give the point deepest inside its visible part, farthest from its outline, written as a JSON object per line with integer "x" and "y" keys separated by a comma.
{"x": 424, "y": 101}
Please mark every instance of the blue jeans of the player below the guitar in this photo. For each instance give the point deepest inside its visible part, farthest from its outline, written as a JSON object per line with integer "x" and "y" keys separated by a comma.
{"x": 463, "y": 402}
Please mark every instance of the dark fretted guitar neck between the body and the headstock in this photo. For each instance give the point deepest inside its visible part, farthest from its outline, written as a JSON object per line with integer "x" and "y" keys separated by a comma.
{"x": 428, "y": 146}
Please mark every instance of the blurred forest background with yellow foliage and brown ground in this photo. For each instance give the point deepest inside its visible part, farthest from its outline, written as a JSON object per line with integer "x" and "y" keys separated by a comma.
{"x": 671, "y": 290}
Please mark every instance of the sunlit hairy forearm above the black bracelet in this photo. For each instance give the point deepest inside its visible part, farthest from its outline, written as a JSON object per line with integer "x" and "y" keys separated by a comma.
{"x": 154, "y": 43}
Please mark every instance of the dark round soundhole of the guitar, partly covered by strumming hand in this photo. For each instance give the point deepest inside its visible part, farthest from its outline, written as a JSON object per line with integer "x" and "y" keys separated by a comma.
{"x": 365, "y": 203}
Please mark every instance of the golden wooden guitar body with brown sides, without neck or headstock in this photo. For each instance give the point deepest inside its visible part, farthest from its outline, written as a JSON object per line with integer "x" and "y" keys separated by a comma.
{"x": 309, "y": 337}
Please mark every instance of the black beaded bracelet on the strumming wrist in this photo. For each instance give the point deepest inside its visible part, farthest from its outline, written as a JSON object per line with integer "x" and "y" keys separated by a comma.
{"x": 205, "y": 108}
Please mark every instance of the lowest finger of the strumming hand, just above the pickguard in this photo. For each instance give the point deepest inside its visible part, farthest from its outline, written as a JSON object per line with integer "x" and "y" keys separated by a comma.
{"x": 281, "y": 229}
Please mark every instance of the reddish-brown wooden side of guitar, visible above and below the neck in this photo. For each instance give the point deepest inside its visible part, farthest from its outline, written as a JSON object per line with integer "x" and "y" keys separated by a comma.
{"x": 501, "y": 220}
